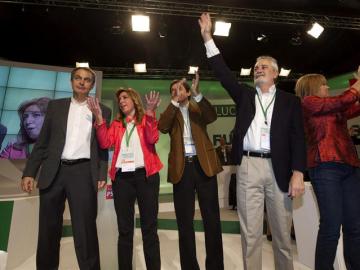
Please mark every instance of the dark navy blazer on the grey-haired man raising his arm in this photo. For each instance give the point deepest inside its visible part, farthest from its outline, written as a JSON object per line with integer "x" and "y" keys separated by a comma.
{"x": 287, "y": 139}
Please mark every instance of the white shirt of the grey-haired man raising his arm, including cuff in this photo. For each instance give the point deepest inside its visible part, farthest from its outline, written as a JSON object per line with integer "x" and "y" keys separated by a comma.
{"x": 252, "y": 139}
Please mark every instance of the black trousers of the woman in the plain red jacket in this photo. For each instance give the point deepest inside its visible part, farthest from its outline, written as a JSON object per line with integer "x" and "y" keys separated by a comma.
{"x": 127, "y": 187}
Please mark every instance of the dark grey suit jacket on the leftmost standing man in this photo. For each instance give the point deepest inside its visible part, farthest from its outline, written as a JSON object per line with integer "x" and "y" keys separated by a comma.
{"x": 50, "y": 144}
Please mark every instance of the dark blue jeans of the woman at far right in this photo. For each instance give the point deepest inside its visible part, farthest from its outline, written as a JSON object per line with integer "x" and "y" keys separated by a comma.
{"x": 337, "y": 189}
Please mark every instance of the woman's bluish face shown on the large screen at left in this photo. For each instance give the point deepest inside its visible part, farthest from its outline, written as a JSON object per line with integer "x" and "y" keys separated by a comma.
{"x": 33, "y": 119}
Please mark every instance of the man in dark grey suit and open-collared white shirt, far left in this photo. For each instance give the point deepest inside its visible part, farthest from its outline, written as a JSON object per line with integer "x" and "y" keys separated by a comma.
{"x": 73, "y": 167}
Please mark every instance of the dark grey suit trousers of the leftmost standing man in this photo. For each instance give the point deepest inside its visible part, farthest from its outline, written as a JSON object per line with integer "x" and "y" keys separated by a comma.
{"x": 74, "y": 183}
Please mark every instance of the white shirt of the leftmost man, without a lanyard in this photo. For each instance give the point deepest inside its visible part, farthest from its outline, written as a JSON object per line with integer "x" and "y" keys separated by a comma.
{"x": 78, "y": 131}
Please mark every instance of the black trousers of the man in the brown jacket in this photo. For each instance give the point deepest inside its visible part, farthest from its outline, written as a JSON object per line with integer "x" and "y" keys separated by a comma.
{"x": 195, "y": 180}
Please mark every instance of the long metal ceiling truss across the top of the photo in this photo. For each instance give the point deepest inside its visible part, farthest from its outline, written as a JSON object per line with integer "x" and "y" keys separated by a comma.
{"x": 229, "y": 13}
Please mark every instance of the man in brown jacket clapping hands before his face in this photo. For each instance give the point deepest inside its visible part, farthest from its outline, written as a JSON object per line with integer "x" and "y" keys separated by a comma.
{"x": 192, "y": 168}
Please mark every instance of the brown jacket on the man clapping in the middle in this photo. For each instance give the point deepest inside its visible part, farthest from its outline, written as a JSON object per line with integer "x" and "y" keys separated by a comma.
{"x": 171, "y": 121}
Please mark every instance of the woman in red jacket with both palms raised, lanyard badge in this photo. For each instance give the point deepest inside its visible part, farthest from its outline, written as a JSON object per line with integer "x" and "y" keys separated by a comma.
{"x": 134, "y": 171}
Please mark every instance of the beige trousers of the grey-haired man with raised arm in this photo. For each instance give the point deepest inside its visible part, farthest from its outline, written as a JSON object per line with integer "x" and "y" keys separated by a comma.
{"x": 255, "y": 184}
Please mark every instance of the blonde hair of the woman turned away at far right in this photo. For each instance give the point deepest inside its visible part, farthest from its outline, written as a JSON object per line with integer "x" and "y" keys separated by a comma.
{"x": 309, "y": 85}
